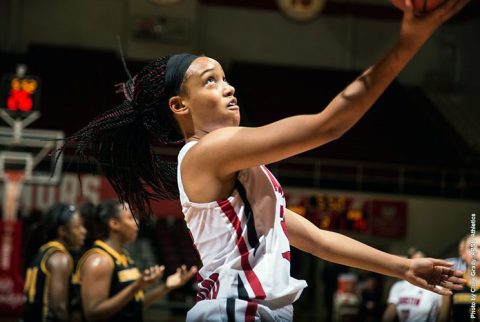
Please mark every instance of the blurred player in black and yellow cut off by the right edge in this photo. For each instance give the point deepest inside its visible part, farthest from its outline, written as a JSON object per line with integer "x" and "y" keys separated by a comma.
{"x": 464, "y": 304}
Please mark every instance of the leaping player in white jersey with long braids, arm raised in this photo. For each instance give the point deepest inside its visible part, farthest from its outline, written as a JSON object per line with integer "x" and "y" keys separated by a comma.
{"x": 233, "y": 205}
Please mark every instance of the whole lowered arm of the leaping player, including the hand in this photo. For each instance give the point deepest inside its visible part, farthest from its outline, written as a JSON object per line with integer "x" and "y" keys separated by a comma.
{"x": 423, "y": 272}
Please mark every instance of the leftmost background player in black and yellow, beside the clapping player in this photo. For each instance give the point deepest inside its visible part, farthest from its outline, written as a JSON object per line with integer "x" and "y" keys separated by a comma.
{"x": 48, "y": 279}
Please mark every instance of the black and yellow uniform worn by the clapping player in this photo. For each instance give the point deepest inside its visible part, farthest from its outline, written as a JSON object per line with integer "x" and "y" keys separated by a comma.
{"x": 125, "y": 272}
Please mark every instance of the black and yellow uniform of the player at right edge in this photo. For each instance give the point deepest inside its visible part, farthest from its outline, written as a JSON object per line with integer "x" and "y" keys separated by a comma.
{"x": 466, "y": 303}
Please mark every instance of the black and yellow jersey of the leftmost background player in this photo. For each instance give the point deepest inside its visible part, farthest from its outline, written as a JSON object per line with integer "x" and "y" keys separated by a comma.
{"x": 37, "y": 281}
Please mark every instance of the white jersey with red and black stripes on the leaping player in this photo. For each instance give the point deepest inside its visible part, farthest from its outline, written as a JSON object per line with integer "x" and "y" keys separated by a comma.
{"x": 242, "y": 241}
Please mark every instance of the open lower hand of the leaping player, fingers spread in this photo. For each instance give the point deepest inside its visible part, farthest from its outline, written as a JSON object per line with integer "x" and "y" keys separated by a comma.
{"x": 430, "y": 273}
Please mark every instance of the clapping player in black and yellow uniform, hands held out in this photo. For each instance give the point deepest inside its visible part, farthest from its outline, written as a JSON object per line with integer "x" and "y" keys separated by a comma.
{"x": 111, "y": 285}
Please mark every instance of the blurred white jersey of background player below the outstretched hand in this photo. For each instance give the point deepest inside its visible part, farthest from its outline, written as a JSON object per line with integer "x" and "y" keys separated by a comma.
{"x": 414, "y": 304}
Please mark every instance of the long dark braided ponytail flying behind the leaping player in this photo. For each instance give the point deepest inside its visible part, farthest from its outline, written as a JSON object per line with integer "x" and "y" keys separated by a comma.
{"x": 120, "y": 140}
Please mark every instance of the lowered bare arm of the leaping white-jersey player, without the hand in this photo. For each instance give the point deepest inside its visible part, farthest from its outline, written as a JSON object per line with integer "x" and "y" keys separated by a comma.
{"x": 341, "y": 249}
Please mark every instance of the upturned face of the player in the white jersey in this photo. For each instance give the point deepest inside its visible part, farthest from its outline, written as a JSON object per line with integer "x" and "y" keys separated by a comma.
{"x": 209, "y": 97}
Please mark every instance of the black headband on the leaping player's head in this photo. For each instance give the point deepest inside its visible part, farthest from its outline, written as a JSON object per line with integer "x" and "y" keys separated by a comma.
{"x": 177, "y": 66}
